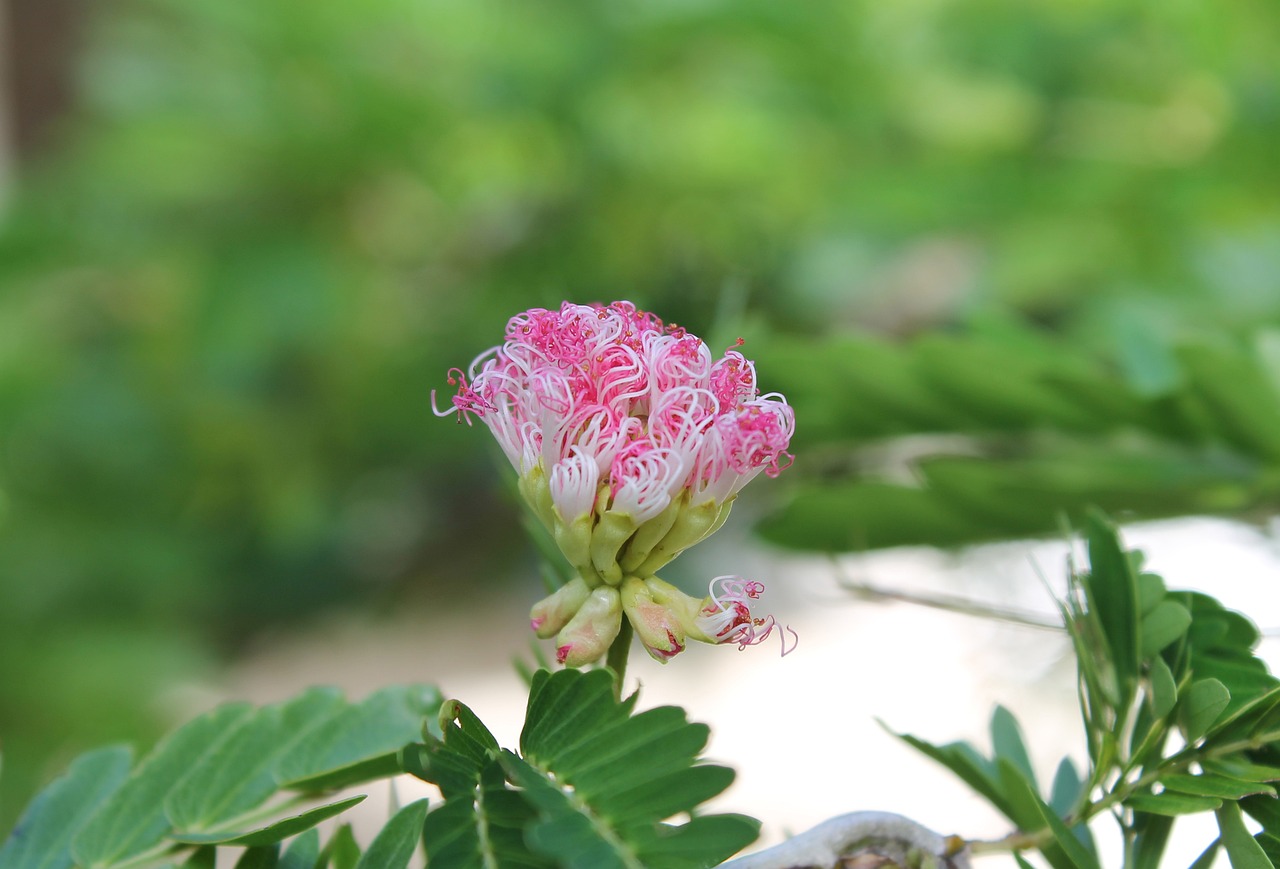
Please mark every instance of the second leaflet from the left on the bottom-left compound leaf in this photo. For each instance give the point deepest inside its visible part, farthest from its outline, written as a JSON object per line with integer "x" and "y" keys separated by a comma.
{"x": 132, "y": 821}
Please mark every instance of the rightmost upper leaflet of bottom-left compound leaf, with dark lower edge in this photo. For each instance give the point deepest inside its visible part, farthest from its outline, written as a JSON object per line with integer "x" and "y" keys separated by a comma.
{"x": 359, "y": 744}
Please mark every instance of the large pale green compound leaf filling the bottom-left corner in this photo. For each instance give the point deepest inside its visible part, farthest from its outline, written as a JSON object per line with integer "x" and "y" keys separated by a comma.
{"x": 207, "y": 783}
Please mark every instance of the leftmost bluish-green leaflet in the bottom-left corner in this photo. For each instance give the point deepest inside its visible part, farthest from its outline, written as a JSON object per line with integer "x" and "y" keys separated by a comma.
{"x": 44, "y": 834}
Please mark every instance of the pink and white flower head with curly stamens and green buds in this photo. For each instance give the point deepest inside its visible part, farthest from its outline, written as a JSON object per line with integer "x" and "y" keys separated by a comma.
{"x": 630, "y": 442}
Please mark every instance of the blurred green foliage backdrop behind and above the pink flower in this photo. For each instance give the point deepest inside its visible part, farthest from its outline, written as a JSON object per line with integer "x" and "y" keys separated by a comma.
{"x": 1007, "y": 259}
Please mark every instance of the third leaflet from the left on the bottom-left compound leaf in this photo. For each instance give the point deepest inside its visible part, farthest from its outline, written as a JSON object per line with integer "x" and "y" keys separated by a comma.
{"x": 240, "y": 774}
